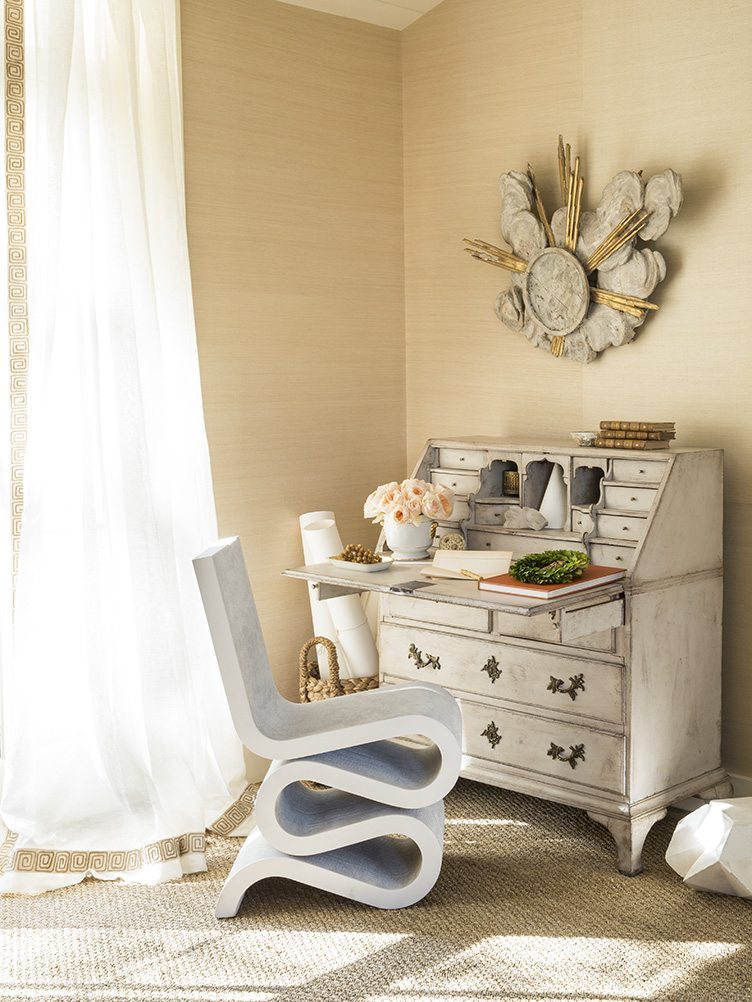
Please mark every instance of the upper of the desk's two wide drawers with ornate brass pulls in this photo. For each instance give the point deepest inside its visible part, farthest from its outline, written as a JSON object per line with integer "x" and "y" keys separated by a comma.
{"x": 526, "y": 676}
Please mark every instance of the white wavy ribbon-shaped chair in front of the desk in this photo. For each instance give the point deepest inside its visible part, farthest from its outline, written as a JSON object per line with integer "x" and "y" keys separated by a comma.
{"x": 341, "y": 839}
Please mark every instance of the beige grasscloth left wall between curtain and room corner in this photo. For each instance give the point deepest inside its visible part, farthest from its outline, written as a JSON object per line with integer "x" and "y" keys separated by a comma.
{"x": 294, "y": 187}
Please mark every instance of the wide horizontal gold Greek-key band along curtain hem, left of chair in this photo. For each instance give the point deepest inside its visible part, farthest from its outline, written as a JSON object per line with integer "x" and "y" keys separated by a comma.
{"x": 55, "y": 861}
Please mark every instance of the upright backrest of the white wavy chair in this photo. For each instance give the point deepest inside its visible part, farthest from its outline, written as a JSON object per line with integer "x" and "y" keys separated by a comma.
{"x": 259, "y": 712}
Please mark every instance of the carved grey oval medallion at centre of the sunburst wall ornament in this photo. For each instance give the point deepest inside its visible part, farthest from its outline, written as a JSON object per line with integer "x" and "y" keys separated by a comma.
{"x": 557, "y": 291}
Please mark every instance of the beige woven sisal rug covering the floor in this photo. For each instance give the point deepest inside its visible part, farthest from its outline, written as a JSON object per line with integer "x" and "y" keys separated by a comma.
{"x": 529, "y": 908}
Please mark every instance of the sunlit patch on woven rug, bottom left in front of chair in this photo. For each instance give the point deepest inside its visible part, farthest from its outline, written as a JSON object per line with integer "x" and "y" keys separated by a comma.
{"x": 98, "y": 963}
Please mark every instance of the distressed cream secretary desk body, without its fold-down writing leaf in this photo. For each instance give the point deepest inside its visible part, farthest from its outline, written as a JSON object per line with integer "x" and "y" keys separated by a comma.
{"x": 626, "y": 689}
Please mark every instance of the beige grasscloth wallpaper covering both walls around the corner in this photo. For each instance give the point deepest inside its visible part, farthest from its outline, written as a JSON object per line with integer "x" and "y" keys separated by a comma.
{"x": 298, "y": 164}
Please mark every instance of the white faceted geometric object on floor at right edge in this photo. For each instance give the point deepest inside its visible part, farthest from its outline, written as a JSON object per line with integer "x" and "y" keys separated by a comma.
{"x": 712, "y": 848}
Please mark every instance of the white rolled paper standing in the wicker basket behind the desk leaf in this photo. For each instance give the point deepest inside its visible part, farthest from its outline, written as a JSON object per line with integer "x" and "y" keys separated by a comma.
{"x": 342, "y": 620}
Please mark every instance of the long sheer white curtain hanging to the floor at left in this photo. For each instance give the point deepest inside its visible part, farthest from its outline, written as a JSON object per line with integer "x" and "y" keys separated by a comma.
{"x": 120, "y": 750}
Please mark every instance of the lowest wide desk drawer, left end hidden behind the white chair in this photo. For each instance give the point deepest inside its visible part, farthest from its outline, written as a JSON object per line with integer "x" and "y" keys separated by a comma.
{"x": 561, "y": 750}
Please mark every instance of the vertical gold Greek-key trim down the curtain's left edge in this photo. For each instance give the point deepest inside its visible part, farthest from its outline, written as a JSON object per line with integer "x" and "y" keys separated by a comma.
{"x": 19, "y": 317}
